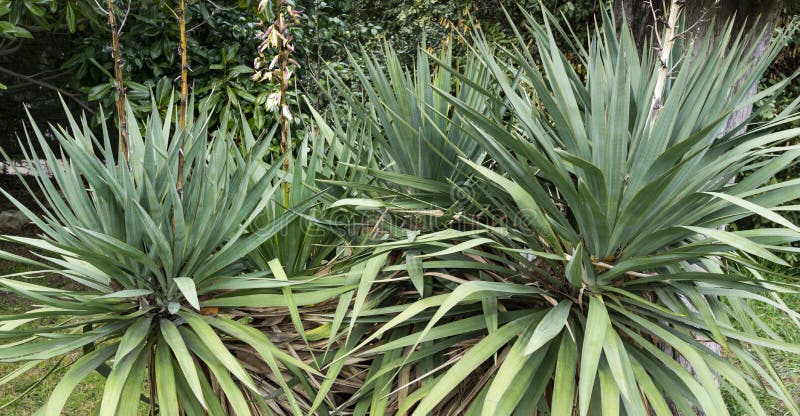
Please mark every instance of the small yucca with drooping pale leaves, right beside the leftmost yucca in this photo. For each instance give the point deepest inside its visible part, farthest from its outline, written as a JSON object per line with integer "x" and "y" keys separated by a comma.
{"x": 314, "y": 263}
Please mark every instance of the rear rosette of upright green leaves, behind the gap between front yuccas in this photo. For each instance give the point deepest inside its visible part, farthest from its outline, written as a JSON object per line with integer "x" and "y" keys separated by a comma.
{"x": 414, "y": 143}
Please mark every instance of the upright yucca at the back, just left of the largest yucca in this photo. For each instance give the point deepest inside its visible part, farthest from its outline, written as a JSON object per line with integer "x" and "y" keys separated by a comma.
{"x": 419, "y": 140}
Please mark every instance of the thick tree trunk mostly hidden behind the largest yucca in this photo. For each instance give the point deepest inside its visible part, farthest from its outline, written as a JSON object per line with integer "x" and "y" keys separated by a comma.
{"x": 705, "y": 18}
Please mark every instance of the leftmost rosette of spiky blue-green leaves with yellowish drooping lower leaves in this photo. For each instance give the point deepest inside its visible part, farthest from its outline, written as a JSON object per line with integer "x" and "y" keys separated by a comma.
{"x": 145, "y": 260}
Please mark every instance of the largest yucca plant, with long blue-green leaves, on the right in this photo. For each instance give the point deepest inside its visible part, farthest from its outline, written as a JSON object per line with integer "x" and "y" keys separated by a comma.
{"x": 600, "y": 265}
